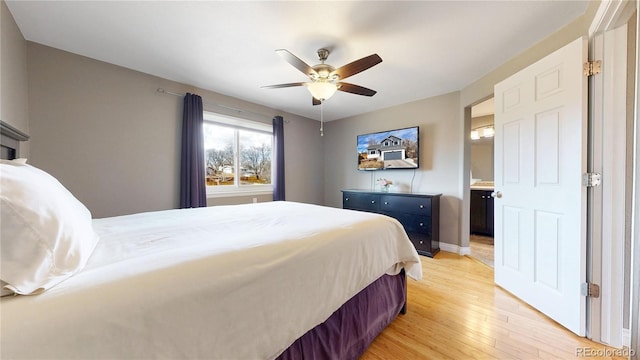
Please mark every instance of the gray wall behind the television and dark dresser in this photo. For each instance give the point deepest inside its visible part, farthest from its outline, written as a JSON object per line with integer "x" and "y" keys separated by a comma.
{"x": 440, "y": 136}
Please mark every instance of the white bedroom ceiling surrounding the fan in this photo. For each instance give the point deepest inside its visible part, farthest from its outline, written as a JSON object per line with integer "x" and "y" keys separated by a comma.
{"x": 428, "y": 48}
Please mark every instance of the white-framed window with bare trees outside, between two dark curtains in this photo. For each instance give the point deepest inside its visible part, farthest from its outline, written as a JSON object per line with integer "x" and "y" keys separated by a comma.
{"x": 237, "y": 155}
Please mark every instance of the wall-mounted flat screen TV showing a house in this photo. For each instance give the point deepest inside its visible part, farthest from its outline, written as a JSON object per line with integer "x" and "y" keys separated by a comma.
{"x": 392, "y": 149}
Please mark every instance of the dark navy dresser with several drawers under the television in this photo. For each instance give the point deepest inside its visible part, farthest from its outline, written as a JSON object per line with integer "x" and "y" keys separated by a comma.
{"x": 419, "y": 213}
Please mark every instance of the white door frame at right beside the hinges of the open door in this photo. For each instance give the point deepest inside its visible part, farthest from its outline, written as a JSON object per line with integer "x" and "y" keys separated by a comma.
{"x": 608, "y": 119}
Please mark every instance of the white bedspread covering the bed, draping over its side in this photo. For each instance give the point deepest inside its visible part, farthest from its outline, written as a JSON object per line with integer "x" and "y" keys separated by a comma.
{"x": 224, "y": 282}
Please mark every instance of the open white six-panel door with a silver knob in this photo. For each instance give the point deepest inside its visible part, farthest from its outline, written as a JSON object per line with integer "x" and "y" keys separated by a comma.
{"x": 540, "y": 204}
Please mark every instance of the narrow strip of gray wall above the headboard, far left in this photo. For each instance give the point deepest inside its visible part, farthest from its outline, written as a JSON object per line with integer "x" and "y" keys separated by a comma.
{"x": 13, "y": 75}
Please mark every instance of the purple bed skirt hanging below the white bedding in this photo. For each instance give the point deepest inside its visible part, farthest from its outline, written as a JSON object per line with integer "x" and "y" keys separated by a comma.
{"x": 349, "y": 331}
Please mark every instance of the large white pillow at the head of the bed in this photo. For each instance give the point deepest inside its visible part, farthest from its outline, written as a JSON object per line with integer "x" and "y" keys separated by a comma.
{"x": 46, "y": 234}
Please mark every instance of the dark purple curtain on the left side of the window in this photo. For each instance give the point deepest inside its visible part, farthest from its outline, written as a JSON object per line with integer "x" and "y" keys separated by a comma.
{"x": 192, "y": 173}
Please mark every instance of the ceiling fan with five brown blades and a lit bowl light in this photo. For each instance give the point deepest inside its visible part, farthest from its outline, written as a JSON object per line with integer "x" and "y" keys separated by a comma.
{"x": 325, "y": 79}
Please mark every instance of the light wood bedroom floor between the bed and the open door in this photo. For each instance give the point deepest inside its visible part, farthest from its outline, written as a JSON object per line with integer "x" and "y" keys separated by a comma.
{"x": 456, "y": 312}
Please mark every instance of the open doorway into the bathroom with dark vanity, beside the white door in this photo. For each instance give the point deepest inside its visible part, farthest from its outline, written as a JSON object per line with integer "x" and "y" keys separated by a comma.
{"x": 481, "y": 183}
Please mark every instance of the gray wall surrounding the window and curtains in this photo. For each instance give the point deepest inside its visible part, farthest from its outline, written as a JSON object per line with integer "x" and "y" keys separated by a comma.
{"x": 113, "y": 140}
